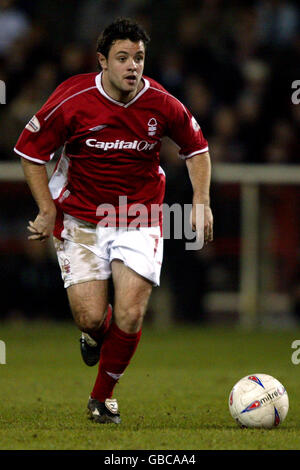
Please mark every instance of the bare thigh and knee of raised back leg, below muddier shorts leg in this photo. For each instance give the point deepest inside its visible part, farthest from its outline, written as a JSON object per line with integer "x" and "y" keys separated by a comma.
{"x": 88, "y": 302}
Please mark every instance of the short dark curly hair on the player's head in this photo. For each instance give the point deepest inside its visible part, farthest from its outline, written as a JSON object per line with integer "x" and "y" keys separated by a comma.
{"x": 121, "y": 28}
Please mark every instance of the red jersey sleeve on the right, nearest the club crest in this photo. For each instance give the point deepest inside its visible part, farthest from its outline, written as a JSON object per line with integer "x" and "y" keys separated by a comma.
{"x": 185, "y": 131}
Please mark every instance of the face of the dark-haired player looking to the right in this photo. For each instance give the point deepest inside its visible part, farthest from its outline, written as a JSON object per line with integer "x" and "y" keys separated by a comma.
{"x": 123, "y": 69}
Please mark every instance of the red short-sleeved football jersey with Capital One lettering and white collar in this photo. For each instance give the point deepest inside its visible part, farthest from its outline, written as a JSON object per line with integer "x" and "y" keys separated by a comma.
{"x": 109, "y": 149}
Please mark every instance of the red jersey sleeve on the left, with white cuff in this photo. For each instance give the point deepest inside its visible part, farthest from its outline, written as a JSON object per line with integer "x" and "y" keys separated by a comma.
{"x": 46, "y": 132}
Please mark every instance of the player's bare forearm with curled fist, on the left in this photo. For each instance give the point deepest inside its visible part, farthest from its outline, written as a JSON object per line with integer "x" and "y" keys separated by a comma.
{"x": 37, "y": 179}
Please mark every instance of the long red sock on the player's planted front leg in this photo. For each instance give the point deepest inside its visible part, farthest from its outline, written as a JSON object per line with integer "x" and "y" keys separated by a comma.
{"x": 116, "y": 352}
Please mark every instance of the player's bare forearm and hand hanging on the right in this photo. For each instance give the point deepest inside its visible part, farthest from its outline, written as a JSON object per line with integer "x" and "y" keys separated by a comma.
{"x": 199, "y": 169}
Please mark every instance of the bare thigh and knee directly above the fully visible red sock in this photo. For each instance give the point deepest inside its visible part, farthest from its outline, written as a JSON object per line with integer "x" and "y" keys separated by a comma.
{"x": 132, "y": 293}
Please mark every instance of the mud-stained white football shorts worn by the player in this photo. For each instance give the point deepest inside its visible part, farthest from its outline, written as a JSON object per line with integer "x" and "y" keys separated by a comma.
{"x": 86, "y": 251}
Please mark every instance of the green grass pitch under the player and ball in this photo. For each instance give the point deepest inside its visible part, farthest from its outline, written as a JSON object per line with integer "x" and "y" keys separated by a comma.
{"x": 174, "y": 394}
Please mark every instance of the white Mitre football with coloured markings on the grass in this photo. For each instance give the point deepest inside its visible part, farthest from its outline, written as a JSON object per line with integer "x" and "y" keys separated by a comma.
{"x": 258, "y": 401}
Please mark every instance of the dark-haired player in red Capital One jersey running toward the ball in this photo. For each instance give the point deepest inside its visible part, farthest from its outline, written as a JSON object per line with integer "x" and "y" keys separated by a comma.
{"x": 109, "y": 126}
